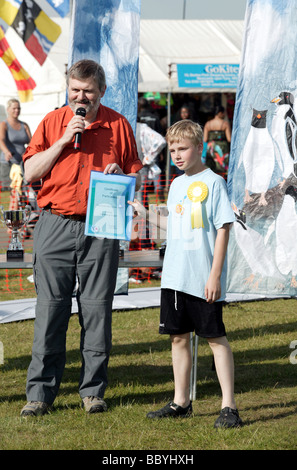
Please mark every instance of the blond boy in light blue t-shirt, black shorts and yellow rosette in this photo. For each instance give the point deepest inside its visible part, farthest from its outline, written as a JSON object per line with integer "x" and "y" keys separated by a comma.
{"x": 193, "y": 284}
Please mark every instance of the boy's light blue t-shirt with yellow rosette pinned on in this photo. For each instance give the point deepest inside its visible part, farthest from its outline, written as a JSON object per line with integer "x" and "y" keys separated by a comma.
{"x": 189, "y": 252}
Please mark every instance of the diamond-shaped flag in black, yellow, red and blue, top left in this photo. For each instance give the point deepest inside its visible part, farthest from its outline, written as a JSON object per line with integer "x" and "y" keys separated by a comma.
{"x": 36, "y": 29}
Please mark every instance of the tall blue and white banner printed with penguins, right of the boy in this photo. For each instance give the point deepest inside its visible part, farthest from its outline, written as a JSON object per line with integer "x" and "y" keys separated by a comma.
{"x": 262, "y": 179}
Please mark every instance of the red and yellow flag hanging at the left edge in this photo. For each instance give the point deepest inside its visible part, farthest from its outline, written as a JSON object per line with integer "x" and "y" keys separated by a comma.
{"x": 25, "y": 84}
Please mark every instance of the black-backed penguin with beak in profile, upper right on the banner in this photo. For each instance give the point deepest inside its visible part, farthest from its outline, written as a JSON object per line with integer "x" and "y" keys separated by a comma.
{"x": 283, "y": 131}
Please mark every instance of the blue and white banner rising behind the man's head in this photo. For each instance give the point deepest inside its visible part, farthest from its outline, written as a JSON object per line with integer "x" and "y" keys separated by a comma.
{"x": 107, "y": 31}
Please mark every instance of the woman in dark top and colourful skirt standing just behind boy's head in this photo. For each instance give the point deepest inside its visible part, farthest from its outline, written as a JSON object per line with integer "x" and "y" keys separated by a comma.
{"x": 217, "y": 135}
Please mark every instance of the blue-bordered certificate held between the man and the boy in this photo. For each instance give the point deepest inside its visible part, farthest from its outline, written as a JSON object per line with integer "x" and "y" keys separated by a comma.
{"x": 108, "y": 213}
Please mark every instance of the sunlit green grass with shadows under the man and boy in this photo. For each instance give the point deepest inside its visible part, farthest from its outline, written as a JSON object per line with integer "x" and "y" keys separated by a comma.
{"x": 140, "y": 379}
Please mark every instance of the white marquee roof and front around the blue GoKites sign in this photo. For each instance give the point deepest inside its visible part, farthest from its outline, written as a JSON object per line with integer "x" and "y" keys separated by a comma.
{"x": 166, "y": 43}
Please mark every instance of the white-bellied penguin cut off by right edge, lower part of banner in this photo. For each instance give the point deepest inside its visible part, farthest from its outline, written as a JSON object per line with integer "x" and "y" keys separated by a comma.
{"x": 285, "y": 233}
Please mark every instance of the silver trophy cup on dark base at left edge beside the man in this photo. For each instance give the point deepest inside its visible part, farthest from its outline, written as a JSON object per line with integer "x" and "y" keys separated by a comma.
{"x": 14, "y": 220}
